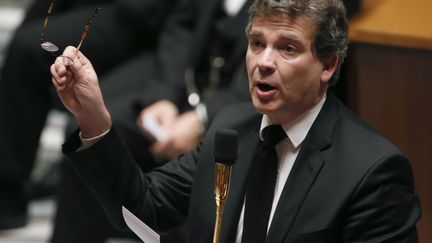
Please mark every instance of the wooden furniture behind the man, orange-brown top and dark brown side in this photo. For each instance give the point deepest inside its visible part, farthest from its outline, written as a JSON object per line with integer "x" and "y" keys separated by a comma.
{"x": 389, "y": 73}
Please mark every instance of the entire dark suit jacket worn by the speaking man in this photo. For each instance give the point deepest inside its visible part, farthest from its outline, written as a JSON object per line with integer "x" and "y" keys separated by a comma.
{"x": 348, "y": 184}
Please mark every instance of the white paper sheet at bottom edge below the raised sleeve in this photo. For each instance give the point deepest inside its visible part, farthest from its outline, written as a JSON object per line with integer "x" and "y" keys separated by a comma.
{"x": 144, "y": 232}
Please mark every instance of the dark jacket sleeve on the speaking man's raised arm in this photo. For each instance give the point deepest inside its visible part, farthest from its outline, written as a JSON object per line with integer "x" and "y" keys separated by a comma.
{"x": 160, "y": 198}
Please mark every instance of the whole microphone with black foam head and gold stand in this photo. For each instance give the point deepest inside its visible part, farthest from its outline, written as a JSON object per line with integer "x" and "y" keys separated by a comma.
{"x": 225, "y": 154}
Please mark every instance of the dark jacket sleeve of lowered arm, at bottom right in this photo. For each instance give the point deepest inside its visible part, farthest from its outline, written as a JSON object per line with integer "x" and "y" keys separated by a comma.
{"x": 385, "y": 206}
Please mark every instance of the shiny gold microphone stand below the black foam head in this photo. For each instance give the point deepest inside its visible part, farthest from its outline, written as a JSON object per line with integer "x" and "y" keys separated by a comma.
{"x": 222, "y": 182}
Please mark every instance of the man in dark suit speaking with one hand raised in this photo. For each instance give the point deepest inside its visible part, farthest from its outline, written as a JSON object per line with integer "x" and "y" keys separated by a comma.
{"x": 338, "y": 180}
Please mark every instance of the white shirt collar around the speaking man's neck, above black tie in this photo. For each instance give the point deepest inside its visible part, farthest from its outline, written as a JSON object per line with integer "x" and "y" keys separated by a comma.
{"x": 296, "y": 130}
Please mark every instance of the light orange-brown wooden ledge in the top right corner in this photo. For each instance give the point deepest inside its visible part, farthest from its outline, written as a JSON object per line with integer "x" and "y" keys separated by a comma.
{"x": 394, "y": 22}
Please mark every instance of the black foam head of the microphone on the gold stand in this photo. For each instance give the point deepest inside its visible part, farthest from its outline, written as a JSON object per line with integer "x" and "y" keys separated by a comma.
{"x": 226, "y": 146}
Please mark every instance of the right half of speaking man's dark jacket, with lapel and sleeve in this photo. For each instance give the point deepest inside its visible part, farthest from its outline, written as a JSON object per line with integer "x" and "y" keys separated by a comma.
{"x": 346, "y": 179}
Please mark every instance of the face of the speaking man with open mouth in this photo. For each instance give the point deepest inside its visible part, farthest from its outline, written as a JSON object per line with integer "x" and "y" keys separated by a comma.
{"x": 285, "y": 76}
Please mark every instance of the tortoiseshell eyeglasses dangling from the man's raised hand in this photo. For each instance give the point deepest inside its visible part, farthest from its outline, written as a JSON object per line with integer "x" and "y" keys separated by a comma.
{"x": 51, "y": 47}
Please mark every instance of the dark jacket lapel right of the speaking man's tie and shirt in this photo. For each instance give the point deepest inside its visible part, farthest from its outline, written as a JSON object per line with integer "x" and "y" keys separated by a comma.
{"x": 306, "y": 168}
